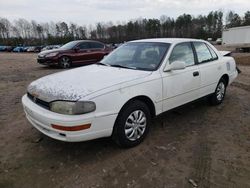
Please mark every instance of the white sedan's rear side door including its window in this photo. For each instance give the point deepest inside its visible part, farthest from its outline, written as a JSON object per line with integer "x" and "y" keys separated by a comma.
{"x": 209, "y": 66}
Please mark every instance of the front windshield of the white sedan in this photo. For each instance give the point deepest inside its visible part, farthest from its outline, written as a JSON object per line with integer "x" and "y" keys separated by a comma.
{"x": 137, "y": 55}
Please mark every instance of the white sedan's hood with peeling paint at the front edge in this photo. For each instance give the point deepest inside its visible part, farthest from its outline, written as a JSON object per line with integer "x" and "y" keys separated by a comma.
{"x": 77, "y": 83}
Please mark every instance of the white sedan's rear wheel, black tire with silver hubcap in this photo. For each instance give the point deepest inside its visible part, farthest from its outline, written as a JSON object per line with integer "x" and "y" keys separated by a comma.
{"x": 218, "y": 96}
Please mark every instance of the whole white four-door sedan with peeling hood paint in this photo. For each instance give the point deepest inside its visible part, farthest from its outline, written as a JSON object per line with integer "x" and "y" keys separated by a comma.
{"x": 118, "y": 96}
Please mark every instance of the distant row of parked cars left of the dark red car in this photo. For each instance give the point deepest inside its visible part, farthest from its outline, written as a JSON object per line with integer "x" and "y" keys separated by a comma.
{"x": 27, "y": 48}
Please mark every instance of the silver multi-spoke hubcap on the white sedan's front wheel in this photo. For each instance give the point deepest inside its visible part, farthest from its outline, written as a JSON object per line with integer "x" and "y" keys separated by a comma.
{"x": 135, "y": 125}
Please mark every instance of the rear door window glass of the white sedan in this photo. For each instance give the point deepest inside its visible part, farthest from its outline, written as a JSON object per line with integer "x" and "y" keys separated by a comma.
{"x": 203, "y": 53}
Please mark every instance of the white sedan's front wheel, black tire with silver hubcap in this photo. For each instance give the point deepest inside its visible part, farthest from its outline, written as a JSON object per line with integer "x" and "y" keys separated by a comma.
{"x": 132, "y": 124}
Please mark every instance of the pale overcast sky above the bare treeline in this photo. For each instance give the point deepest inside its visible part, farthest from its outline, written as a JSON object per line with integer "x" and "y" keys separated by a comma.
{"x": 85, "y": 12}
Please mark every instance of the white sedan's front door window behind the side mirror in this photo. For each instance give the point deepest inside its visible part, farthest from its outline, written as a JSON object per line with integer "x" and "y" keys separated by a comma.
{"x": 182, "y": 52}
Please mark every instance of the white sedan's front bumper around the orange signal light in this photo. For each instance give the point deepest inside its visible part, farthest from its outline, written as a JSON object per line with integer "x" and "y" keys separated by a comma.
{"x": 43, "y": 119}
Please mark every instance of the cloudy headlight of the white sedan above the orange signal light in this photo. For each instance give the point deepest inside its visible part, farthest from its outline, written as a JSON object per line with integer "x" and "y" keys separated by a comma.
{"x": 72, "y": 108}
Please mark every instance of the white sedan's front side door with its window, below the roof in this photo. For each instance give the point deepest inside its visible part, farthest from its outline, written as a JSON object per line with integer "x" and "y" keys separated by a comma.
{"x": 181, "y": 86}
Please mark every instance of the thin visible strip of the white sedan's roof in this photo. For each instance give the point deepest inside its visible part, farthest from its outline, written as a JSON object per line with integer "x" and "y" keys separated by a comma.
{"x": 169, "y": 40}
